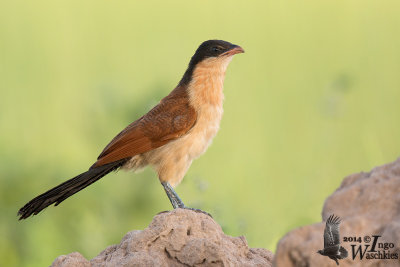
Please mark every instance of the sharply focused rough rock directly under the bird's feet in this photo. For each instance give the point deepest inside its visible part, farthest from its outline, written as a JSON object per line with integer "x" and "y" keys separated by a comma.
{"x": 177, "y": 238}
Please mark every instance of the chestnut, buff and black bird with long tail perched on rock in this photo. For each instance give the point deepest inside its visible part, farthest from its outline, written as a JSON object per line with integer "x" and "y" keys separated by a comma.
{"x": 168, "y": 138}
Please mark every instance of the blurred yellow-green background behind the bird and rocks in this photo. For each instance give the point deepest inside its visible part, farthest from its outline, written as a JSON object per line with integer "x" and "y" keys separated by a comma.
{"x": 315, "y": 97}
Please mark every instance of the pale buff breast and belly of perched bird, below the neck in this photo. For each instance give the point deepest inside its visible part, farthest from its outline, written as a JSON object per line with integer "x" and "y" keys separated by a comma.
{"x": 172, "y": 160}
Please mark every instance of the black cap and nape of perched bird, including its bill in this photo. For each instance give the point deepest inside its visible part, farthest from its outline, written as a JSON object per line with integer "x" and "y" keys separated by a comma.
{"x": 210, "y": 49}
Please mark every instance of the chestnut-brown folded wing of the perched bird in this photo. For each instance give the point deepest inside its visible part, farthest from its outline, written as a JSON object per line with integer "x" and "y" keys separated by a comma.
{"x": 170, "y": 119}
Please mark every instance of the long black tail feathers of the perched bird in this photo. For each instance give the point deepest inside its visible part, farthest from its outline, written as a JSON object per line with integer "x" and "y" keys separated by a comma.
{"x": 63, "y": 191}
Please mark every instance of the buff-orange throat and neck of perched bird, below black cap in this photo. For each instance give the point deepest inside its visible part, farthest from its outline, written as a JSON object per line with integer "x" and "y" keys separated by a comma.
{"x": 206, "y": 84}
